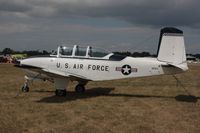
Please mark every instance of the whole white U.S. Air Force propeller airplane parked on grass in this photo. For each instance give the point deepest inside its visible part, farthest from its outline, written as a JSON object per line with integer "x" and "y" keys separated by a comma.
{"x": 85, "y": 64}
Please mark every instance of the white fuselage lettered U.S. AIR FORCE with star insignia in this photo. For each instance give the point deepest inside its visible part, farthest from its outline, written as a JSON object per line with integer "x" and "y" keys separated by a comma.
{"x": 100, "y": 69}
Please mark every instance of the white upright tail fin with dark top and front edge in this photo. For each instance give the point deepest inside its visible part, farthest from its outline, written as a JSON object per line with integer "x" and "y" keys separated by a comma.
{"x": 171, "y": 48}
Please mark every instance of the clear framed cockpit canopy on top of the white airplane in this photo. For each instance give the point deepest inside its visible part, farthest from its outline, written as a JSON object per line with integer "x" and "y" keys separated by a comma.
{"x": 81, "y": 52}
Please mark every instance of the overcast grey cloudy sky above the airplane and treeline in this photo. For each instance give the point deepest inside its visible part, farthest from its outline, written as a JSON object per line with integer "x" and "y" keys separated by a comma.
{"x": 116, "y": 25}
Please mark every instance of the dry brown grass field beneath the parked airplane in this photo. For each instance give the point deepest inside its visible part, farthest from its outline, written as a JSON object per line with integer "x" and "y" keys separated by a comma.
{"x": 151, "y": 104}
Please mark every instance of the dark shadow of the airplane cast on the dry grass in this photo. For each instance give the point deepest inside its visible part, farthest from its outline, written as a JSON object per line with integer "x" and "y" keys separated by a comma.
{"x": 95, "y": 92}
